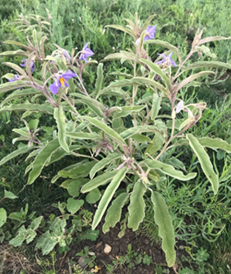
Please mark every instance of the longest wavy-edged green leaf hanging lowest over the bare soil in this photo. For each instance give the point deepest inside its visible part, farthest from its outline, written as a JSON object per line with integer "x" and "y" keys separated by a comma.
{"x": 166, "y": 230}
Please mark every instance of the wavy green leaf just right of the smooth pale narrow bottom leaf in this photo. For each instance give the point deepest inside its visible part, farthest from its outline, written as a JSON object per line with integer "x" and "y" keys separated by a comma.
{"x": 114, "y": 212}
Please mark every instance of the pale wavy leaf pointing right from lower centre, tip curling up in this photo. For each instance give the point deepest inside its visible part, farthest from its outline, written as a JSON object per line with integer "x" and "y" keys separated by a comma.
{"x": 168, "y": 169}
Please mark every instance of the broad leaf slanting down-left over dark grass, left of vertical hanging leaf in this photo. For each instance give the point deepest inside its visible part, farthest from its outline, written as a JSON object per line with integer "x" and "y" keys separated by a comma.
{"x": 41, "y": 159}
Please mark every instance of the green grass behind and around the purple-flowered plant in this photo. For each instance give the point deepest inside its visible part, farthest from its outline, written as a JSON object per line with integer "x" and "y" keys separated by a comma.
{"x": 199, "y": 218}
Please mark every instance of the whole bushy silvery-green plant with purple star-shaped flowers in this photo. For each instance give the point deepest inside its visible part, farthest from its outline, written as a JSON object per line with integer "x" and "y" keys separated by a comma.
{"x": 123, "y": 147}
